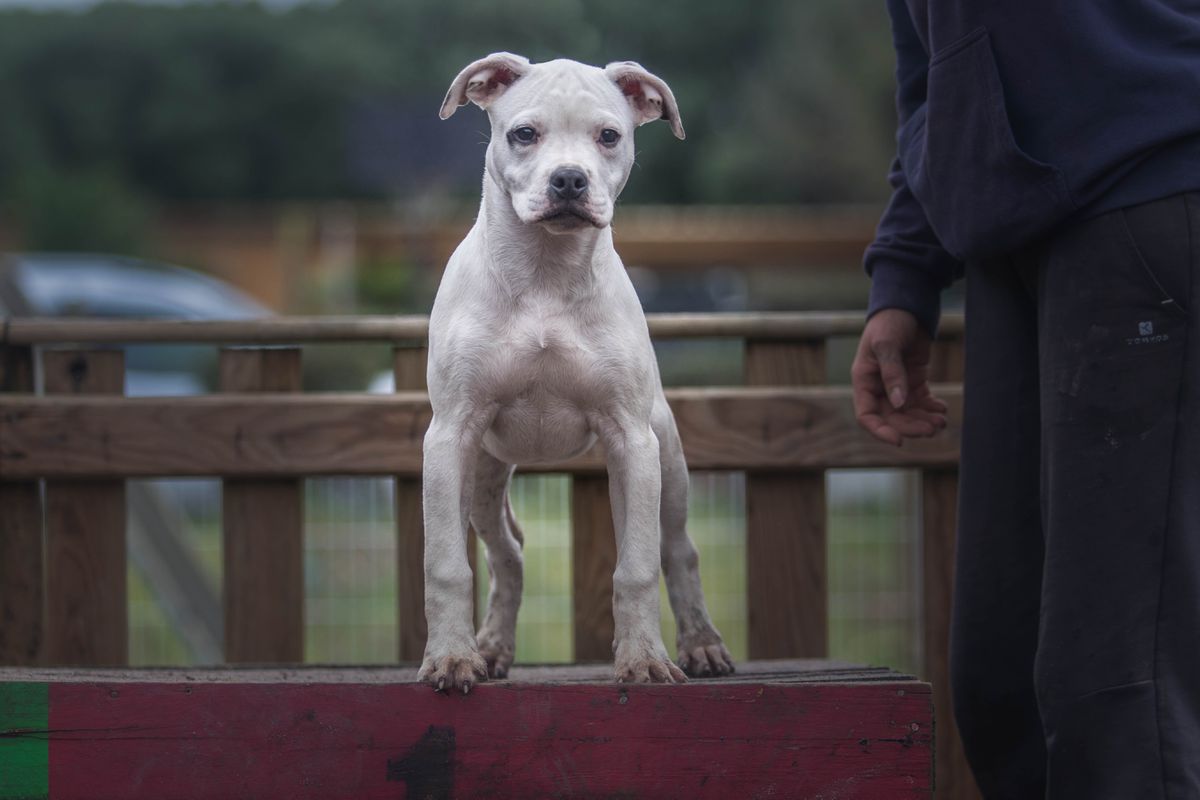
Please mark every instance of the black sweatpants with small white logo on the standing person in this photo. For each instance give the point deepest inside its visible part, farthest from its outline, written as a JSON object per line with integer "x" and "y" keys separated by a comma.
{"x": 1076, "y": 645}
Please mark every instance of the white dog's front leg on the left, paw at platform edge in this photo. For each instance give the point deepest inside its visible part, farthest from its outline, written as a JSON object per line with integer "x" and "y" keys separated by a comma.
{"x": 452, "y": 658}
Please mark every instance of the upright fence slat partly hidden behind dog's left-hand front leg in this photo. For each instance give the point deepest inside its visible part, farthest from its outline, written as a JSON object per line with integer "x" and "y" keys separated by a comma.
{"x": 410, "y": 370}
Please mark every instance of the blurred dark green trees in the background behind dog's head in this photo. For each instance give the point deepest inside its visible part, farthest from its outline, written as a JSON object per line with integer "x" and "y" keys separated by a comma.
{"x": 783, "y": 101}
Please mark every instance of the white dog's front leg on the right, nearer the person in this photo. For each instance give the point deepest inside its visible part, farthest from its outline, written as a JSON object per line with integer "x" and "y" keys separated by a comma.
{"x": 635, "y": 488}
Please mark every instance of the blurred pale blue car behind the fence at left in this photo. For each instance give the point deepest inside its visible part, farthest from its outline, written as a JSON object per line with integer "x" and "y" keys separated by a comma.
{"x": 81, "y": 285}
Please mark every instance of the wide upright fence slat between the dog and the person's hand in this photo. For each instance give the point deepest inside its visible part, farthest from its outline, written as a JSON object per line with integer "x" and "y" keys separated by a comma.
{"x": 787, "y": 572}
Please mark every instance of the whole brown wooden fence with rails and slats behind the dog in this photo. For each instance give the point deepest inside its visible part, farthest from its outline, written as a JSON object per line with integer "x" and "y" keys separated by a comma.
{"x": 65, "y": 454}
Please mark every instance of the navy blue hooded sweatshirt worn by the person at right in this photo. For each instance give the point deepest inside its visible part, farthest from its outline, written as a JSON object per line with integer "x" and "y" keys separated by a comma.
{"x": 1019, "y": 116}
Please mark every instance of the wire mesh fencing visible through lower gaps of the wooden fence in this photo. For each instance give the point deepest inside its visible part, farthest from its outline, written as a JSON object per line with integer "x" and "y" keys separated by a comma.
{"x": 175, "y": 573}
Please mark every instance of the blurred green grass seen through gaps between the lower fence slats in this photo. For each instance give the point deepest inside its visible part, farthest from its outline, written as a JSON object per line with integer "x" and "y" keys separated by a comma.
{"x": 351, "y": 581}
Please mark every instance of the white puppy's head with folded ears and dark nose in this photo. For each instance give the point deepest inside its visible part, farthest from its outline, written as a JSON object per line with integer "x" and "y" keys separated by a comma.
{"x": 562, "y": 133}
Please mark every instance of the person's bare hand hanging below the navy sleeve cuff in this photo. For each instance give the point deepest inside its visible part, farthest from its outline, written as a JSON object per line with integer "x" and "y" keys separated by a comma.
{"x": 890, "y": 377}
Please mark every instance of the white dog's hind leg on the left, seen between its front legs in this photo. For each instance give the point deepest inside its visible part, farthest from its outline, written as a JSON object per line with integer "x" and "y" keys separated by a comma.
{"x": 491, "y": 516}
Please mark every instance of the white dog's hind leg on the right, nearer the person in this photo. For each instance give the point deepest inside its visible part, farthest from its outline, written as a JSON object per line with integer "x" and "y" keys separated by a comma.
{"x": 699, "y": 646}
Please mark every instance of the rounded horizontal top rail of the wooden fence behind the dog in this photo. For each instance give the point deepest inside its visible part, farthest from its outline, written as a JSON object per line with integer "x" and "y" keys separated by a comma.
{"x": 297, "y": 330}
